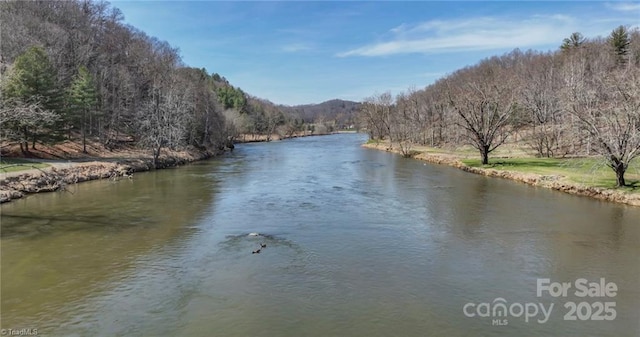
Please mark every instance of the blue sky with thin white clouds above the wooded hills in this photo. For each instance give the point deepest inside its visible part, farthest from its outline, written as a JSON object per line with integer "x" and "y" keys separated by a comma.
{"x": 298, "y": 52}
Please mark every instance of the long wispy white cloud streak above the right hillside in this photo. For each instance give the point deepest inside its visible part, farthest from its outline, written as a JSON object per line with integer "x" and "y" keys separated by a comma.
{"x": 482, "y": 33}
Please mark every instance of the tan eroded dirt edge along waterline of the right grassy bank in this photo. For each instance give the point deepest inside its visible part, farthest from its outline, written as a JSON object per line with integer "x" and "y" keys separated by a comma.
{"x": 555, "y": 182}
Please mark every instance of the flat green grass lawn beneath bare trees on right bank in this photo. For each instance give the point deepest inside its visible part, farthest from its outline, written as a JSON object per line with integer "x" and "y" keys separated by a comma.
{"x": 587, "y": 171}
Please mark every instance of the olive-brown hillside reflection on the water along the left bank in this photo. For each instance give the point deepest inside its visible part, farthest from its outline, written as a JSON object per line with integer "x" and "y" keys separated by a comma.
{"x": 59, "y": 247}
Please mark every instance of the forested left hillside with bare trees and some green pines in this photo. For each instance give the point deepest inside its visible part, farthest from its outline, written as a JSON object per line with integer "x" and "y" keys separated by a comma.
{"x": 73, "y": 70}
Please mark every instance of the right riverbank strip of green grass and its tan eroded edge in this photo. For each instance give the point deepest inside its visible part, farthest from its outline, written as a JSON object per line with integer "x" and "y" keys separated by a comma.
{"x": 578, "y": 176}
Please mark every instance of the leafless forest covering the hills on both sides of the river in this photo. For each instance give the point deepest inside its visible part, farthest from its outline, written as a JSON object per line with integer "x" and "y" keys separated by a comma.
{"x": 75, "y": 70}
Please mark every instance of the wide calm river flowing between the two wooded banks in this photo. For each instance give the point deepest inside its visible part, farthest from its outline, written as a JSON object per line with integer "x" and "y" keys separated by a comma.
{"x": 358, "y": 243}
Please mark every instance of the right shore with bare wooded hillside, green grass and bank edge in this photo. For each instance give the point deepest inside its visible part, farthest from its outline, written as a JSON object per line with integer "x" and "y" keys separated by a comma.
{"x": 571, "y": 113}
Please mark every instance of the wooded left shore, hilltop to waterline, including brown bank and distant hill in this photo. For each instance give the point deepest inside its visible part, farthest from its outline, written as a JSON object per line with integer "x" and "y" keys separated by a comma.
{"x": 87, "y": 96}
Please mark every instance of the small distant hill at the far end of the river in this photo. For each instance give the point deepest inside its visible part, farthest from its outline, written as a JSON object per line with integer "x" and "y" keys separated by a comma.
{"x": 341, "y": 111}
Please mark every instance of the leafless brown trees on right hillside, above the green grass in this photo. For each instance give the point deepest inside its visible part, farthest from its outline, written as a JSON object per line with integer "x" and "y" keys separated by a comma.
{"x": 581, "y": 99}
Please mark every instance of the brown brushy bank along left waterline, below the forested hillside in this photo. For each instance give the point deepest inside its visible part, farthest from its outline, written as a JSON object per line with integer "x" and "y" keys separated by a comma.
{"x": 23, "y": 176}
